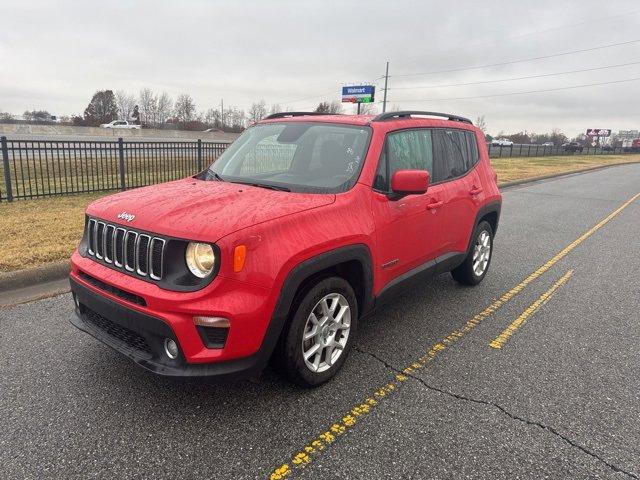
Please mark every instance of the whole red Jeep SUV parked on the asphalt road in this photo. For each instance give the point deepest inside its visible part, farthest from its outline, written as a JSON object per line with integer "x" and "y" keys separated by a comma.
{"x": 304, "y": 225}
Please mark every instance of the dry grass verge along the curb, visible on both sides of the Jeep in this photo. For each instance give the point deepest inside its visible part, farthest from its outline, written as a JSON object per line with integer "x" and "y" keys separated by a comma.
{"x": 34, "y": 232}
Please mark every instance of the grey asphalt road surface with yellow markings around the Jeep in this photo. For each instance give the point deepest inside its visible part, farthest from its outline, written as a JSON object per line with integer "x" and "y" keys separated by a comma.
{"x": 425, "y": 394}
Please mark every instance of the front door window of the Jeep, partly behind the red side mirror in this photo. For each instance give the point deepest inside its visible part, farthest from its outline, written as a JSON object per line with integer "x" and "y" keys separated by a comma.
{"x": 405, "y": 150}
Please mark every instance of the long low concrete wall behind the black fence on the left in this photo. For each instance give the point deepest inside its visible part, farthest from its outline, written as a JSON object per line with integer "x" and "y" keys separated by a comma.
{"x": 24, "y": 130}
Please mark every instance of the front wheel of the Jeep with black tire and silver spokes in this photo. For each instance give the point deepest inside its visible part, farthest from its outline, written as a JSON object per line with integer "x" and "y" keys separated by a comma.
{"x": 319, "y": 337}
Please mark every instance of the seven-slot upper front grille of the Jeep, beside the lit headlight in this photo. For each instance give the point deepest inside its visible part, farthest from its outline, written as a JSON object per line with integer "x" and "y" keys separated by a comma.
{"x": 126, "y": 249}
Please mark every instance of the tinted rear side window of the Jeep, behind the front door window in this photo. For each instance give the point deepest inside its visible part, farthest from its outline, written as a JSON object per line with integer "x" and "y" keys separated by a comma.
{"x": 455, "y": 152}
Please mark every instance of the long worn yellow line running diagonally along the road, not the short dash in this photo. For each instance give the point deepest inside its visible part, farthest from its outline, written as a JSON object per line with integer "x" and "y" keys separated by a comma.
{"x": 346, "y": 423}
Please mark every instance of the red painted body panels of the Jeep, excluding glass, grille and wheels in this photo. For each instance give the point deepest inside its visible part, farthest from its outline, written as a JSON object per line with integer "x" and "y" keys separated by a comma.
{"x": 281, "y": 230}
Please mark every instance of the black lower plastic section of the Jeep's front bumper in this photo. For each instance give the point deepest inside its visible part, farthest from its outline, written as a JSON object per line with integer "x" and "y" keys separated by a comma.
{"x": 141, "y": 338}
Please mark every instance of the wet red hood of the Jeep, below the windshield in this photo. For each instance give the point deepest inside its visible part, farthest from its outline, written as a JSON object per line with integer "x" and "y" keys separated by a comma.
{"x": 201, "y": 210}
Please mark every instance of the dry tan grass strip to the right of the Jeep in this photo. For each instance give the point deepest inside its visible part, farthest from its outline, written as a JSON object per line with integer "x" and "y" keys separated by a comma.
{"x": 509, "y": 169}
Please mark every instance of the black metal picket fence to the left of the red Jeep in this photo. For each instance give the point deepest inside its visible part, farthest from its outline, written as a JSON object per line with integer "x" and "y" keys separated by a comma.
{"x": 41, "y": 168}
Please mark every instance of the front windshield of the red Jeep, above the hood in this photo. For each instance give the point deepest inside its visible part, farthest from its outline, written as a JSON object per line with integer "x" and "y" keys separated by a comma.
{"x": 296, "y": 156}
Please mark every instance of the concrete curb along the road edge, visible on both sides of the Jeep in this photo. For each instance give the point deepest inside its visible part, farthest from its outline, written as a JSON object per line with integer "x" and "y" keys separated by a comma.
{"x": 59, "y": 270}
